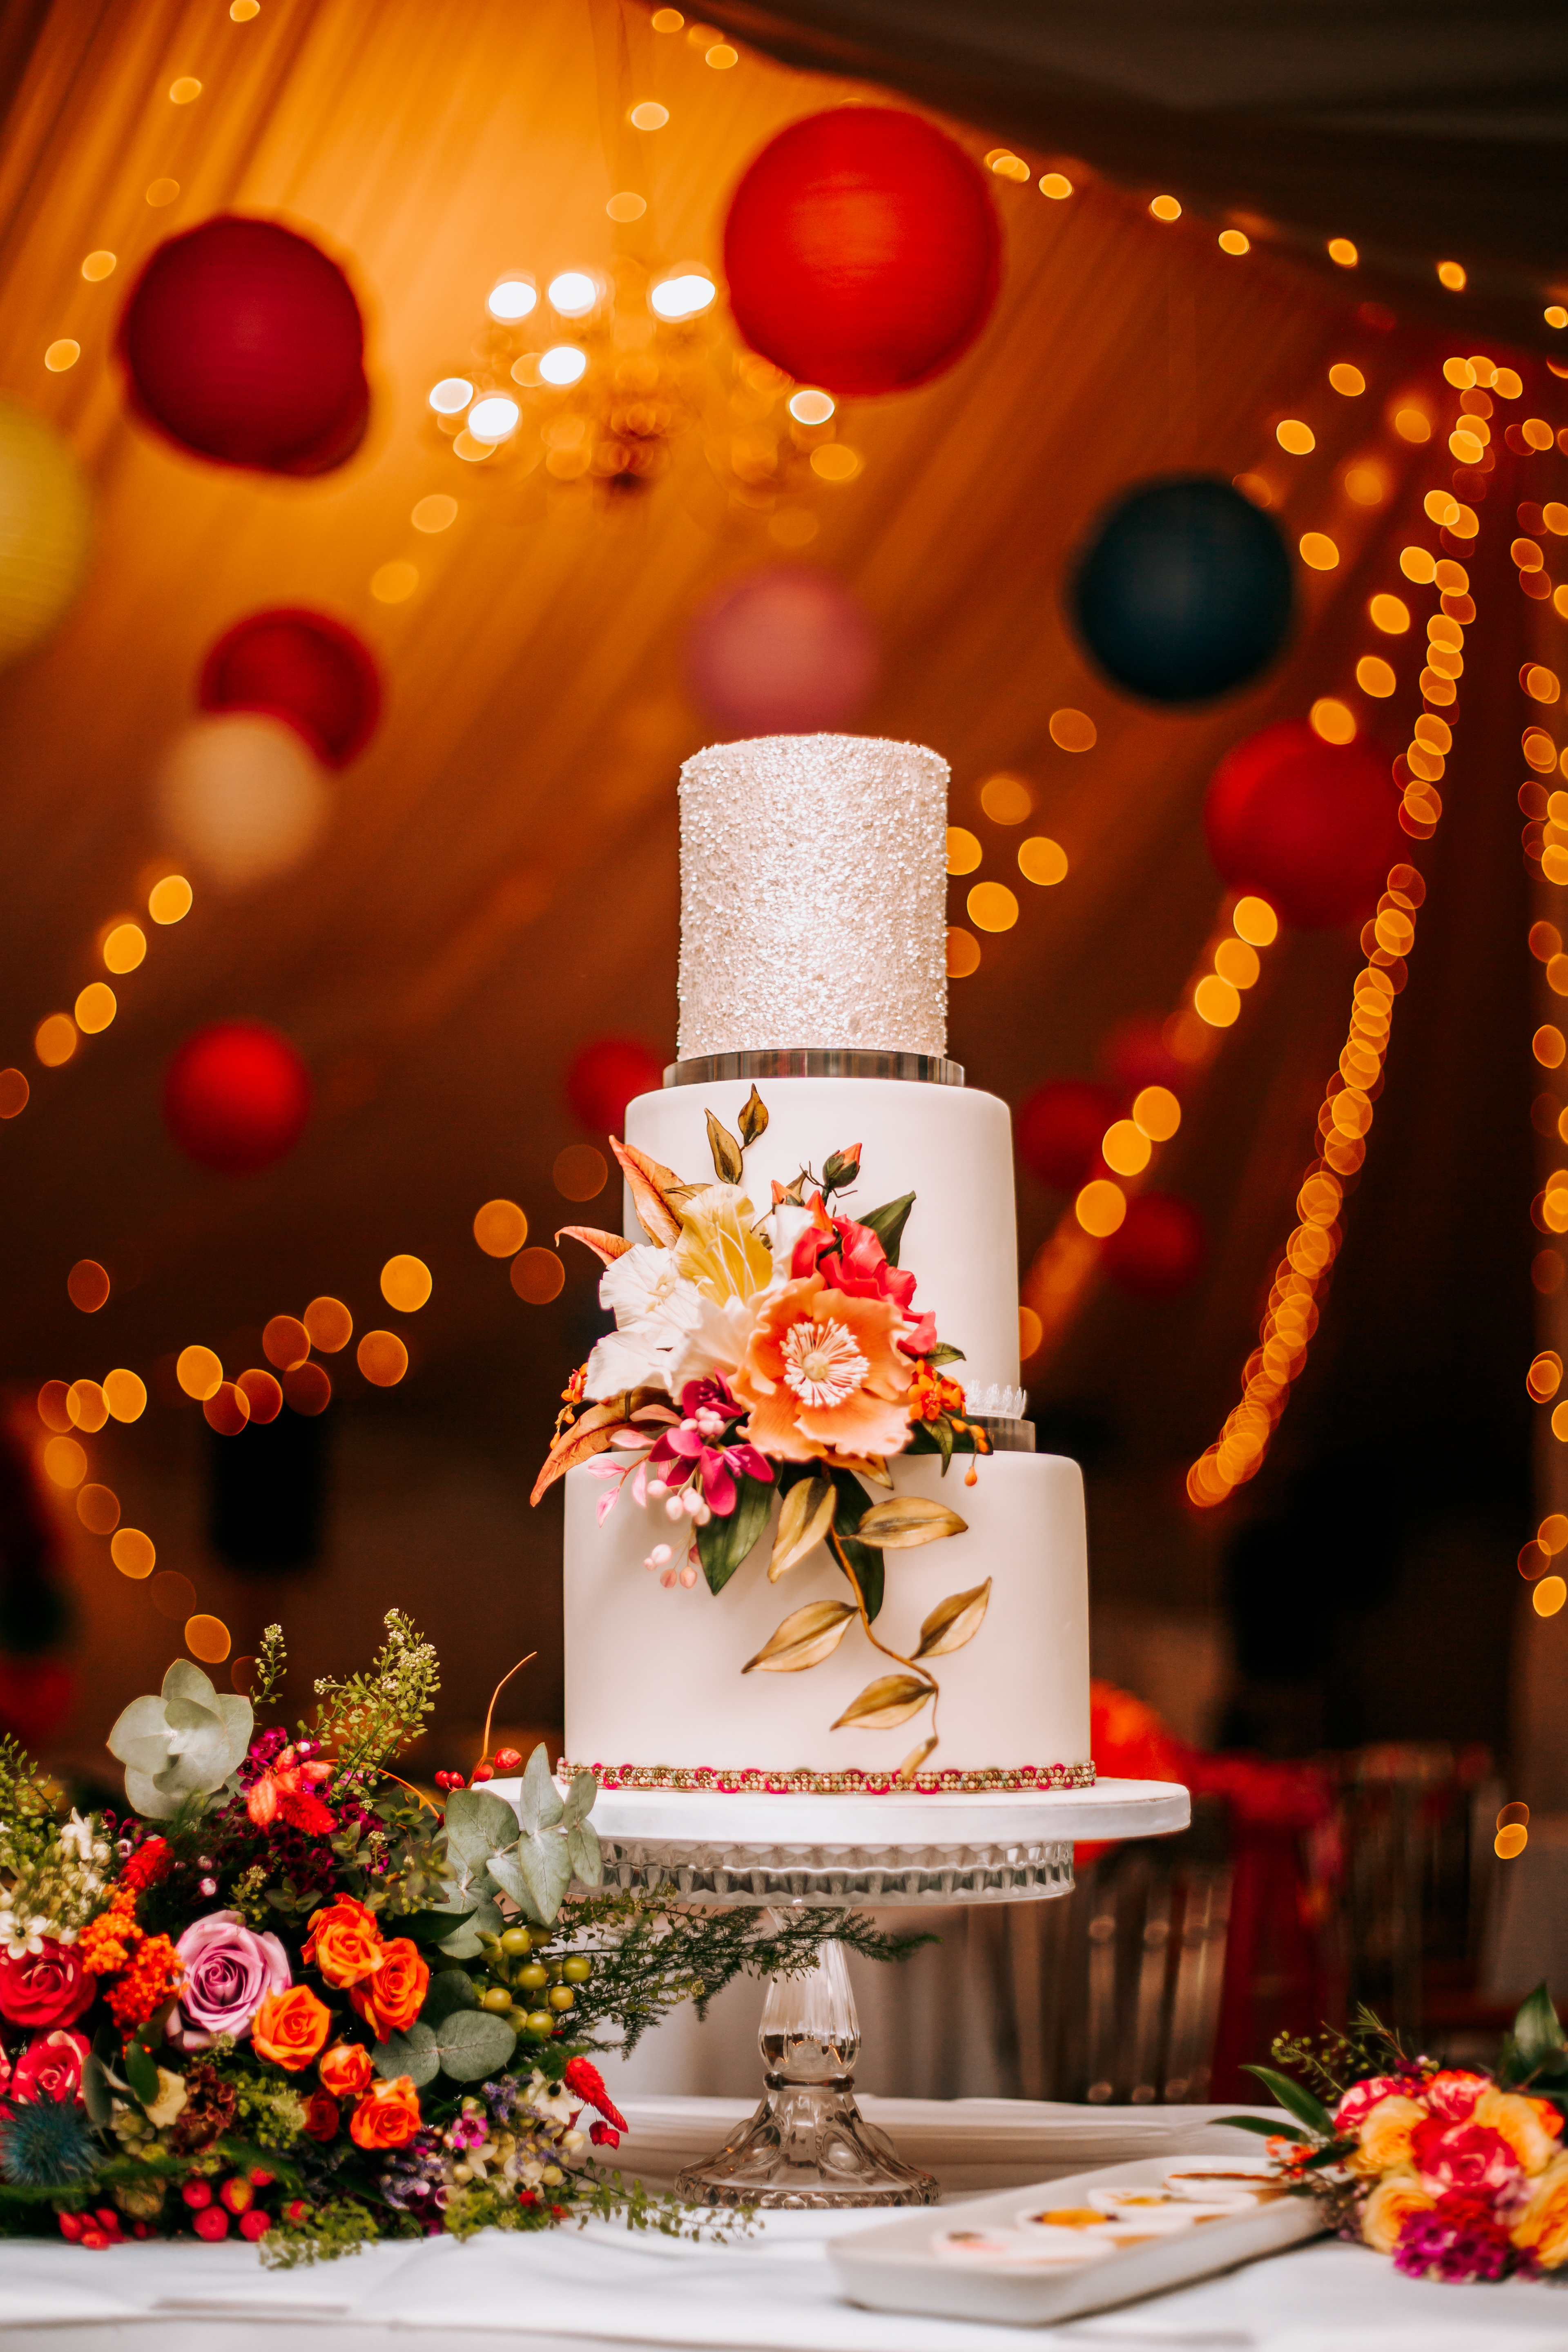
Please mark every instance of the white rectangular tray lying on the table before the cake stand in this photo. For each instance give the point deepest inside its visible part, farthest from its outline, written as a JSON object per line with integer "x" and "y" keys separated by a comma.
{"x": 894, "y": 2269}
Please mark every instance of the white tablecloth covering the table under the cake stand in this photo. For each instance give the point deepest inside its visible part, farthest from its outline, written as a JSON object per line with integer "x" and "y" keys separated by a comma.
{"x": 777, "y": 2292}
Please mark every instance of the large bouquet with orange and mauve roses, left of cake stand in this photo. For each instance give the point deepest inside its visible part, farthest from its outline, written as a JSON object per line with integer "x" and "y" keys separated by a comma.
{"x": 290, "y": 1998}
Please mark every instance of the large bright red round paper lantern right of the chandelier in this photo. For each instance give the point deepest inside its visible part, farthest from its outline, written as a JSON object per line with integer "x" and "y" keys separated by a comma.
{"x": 862, "y": 250}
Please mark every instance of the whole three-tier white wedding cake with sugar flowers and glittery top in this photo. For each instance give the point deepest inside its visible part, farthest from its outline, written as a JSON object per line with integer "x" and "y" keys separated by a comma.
{"x": 808, "y": 1537}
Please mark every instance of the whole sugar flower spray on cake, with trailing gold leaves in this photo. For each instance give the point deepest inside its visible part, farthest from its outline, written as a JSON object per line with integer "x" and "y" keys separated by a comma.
{"x": 770, "y": 1361}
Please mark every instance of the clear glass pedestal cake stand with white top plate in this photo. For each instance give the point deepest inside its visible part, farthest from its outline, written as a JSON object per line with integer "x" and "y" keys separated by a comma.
{"x": 808, "y": 2144}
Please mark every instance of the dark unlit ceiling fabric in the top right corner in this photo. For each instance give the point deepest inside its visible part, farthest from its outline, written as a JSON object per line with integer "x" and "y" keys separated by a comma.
{"x": 1419, "y": 128}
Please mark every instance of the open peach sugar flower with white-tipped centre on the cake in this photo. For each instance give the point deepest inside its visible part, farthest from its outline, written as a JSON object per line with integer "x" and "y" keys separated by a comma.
{"x": 824, "y": 1375}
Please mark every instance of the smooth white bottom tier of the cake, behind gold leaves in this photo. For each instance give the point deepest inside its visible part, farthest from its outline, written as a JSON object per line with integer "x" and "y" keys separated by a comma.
{"x": 655, "y": 1676}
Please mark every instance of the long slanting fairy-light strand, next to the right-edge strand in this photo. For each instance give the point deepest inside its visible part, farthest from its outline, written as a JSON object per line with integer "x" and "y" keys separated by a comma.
{"x": 1351, "y": 1097}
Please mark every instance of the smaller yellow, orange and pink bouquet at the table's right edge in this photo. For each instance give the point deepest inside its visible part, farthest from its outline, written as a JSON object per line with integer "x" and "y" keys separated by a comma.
{"x": 1456, "y": 2174}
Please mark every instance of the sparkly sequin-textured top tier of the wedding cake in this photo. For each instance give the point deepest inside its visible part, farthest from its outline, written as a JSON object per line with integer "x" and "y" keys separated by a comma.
{"x": 815, "y": 897}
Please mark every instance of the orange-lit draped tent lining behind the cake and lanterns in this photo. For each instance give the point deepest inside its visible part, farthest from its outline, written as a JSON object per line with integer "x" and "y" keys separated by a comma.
{"x": 500, "y": 881}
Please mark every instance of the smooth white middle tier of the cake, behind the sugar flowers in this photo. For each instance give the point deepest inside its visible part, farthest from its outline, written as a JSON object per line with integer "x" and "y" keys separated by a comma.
{"x": 951, "y": 1147}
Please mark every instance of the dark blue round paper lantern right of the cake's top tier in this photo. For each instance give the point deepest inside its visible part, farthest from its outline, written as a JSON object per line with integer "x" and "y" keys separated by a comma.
{"x": 1184, "y": 592}
